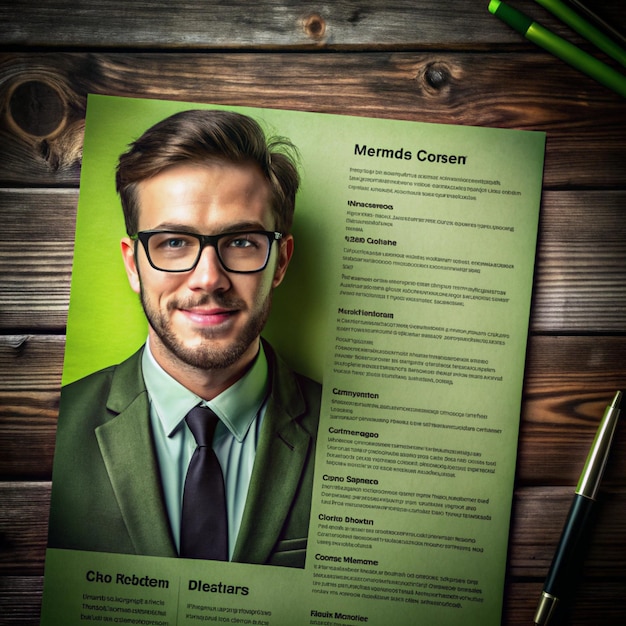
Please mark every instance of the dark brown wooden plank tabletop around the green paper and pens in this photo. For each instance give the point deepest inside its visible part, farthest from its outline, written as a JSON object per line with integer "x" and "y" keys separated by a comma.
{"x": 415, "y": 60}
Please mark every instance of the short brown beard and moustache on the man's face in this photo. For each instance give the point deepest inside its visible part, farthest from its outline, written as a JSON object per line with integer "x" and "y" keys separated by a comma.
{"x": 206, "y": 355}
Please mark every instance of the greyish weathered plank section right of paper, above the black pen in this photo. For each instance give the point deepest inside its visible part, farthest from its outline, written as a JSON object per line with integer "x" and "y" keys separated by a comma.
{"x": 580, "y": 276}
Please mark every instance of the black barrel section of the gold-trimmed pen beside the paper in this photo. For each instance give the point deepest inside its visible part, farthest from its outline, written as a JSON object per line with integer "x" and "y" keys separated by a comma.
{"x": 566, "y": 558}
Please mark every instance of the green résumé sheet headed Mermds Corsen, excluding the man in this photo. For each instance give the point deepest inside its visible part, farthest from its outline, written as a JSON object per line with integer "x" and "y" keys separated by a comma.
{"x": 408, "y": 298}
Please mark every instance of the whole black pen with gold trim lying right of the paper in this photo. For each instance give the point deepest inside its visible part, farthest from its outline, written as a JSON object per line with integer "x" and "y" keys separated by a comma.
{"x": 579, "y": 514}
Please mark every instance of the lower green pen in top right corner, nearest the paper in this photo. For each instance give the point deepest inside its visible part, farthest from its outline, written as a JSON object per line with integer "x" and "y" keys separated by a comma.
{"x": 559, "y": 47}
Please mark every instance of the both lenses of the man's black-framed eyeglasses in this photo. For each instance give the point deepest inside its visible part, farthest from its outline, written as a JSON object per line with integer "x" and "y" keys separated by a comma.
{"x": 239, "y": 252}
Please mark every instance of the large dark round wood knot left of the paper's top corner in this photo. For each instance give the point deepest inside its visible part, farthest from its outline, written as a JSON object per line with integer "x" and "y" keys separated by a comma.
{"x": 37, "y": 109}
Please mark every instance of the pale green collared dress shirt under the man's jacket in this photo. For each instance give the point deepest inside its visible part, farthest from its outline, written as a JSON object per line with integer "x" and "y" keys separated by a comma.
{"x": 240, "y": 408}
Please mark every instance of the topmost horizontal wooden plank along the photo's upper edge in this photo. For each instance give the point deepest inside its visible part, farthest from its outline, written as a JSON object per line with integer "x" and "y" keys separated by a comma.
{"x": 212, "y": 24}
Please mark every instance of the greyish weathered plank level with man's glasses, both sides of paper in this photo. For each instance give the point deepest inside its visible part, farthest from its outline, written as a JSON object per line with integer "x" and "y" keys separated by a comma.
{"x": 580, "y": 281}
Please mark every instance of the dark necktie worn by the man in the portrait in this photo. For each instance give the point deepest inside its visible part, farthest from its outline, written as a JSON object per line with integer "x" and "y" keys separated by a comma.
{"x": 204, "y": 529}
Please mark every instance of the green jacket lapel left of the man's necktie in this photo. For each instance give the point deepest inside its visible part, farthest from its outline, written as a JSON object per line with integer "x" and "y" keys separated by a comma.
{"x": 127, "y": 450}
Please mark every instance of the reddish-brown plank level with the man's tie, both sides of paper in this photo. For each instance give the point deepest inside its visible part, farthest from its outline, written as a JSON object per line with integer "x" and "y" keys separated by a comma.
{"x": 569, "y": 382}
